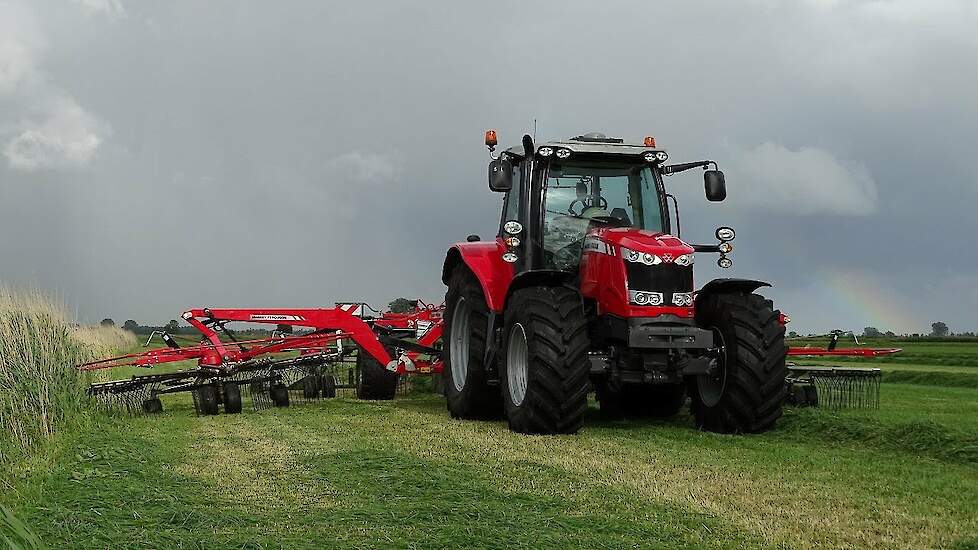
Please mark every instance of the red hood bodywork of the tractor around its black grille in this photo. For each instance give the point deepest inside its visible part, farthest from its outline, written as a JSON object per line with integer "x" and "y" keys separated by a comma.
{"x": 603, "y": 275}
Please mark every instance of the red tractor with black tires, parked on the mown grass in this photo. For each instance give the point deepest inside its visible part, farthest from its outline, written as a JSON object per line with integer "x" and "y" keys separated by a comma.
{"x": 588, "y": 285}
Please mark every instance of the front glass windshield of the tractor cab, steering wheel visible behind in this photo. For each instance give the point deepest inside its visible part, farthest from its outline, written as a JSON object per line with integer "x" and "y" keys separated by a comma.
{"x": 579, "y": 196}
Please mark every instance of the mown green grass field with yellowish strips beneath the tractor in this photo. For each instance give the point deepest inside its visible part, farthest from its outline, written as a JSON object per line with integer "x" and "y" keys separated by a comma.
{"x": 403, "y": 474}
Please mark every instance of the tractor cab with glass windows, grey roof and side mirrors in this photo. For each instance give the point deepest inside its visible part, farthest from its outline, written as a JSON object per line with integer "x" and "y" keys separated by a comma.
{"x": 563, "y": 191}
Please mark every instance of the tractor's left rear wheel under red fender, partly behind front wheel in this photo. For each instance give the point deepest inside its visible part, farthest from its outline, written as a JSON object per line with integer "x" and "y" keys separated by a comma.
{"x": 465, "y": 378}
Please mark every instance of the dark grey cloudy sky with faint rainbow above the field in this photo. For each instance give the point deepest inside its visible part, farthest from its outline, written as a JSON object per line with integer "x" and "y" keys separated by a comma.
{"x": 162, "y": 155}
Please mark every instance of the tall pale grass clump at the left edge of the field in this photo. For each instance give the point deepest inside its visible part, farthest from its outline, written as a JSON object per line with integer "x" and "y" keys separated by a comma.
{"x": 40, "y": 388}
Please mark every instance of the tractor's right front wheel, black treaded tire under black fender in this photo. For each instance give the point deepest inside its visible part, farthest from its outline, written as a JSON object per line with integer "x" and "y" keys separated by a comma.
{"x": 746, "y": 393}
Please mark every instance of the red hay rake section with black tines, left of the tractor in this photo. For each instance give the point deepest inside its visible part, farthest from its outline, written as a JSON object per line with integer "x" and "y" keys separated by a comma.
{"x": 283, "y": 369}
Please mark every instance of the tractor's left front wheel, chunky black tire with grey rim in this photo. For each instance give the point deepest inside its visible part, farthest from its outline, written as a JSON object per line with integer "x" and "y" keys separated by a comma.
{"x": 546, "y": 331}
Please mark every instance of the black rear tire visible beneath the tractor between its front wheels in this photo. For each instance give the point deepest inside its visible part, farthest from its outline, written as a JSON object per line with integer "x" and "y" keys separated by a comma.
{"x": 642, "y": 400}
